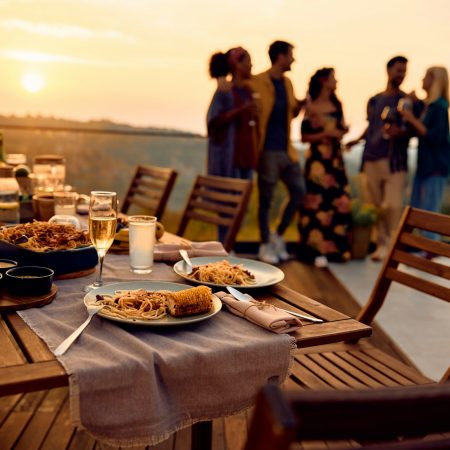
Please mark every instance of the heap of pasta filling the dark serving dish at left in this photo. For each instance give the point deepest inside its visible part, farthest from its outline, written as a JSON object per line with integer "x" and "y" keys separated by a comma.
{"x": 44, "y": 236}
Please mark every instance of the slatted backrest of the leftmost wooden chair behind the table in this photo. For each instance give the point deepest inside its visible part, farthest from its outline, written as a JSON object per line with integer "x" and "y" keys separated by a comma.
{"x": 150, "y": 189}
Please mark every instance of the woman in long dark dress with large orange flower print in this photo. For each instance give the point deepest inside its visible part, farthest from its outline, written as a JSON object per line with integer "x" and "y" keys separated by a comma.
{"x": 325, "y": 214}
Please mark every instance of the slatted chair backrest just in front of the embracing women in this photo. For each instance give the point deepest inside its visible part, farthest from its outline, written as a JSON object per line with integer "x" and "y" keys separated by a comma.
{"x": 218, "y": 201}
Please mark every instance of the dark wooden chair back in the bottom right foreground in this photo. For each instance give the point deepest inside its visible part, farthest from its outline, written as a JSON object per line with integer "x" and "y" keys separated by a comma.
{"x": 370, "y": 415}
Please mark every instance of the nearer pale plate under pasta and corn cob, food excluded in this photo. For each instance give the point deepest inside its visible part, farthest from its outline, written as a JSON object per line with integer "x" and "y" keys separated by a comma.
{"x": 151, "y": 286}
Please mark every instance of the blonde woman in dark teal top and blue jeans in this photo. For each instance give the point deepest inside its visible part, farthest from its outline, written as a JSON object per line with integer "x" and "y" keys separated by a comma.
{"x": 432, "y": 127}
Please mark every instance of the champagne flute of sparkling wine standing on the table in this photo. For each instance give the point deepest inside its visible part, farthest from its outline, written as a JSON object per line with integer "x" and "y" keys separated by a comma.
{"x": 102, "y": 227}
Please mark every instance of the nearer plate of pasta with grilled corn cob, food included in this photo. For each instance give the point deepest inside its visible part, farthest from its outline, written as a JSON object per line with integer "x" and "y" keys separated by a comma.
{"x": 154, "y": 303}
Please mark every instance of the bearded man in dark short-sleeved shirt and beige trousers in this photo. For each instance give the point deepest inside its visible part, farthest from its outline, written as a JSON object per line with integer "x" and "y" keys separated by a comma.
{"x": 384, "y": 160}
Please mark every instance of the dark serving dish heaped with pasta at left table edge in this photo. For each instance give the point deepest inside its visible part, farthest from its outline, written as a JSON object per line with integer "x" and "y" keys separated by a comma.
{"x": 60, "y": 247}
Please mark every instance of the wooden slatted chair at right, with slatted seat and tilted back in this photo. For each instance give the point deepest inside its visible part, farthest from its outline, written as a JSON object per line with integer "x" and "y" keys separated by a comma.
{"x": 359, "y": 364}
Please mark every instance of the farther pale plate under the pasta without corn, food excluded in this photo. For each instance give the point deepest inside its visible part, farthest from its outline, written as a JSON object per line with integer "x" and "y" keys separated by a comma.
{"x": 265, "y": 274}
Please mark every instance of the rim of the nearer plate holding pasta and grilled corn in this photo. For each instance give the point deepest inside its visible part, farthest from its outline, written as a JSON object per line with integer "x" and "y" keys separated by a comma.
{"x": 217, "y": 305}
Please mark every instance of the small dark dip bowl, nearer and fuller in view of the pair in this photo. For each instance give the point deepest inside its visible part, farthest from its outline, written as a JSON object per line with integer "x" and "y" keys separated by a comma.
{"x": 29, "y": 280}
